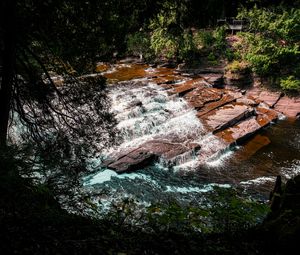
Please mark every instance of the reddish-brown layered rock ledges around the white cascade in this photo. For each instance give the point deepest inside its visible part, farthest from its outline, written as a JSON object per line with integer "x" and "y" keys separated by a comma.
{"x": 227, "y": 115}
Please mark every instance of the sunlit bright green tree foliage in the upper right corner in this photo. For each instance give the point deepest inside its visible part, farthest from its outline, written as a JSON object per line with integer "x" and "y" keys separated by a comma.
{"x": 272, "y": 45}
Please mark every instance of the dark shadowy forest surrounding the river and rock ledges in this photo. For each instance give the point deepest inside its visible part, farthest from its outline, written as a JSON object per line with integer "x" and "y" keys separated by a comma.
{"x": 55, "y": 115}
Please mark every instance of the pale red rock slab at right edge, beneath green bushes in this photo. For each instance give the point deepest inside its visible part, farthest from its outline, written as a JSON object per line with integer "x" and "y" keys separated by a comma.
{"x": 288, "y": 106}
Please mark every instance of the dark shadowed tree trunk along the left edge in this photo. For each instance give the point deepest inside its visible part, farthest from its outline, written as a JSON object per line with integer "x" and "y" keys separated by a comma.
{"x": 8, "y": 68}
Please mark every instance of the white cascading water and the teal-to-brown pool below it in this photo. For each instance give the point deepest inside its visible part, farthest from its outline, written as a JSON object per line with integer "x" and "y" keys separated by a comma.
{"x": 145, "y": 111}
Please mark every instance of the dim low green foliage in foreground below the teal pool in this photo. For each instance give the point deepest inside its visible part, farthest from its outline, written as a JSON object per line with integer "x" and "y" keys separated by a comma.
{"x": 224, "y": 211}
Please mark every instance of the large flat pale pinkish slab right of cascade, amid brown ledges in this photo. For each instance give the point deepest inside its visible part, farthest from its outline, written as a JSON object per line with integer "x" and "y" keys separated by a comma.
{"x": 226, "y": 116}
